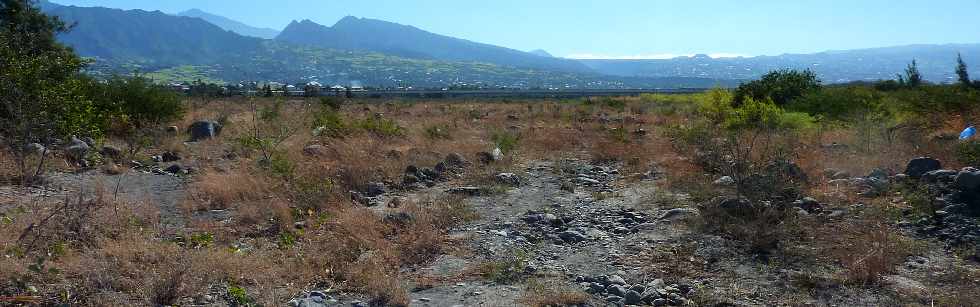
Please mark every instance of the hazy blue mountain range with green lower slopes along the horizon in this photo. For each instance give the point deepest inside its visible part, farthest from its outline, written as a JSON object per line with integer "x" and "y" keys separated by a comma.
{"x": 199, "y": 45}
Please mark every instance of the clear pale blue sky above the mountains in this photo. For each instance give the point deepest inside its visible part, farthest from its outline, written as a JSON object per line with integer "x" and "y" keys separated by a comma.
{"x": 628, "y": 28}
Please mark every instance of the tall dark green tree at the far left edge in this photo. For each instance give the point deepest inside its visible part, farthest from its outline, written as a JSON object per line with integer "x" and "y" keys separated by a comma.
{"x": 41, "y": 93}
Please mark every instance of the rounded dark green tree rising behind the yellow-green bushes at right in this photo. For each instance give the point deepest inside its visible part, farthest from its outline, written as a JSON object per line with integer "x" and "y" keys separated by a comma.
{"x": 782, "y": 86}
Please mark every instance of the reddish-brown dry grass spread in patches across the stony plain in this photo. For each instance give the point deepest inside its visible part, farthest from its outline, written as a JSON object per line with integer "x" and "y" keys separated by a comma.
{"x": 299, "y": 230}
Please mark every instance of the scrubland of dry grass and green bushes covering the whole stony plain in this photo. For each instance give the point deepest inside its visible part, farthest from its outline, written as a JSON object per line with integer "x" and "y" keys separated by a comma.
{"x": 282, "y": 199}
